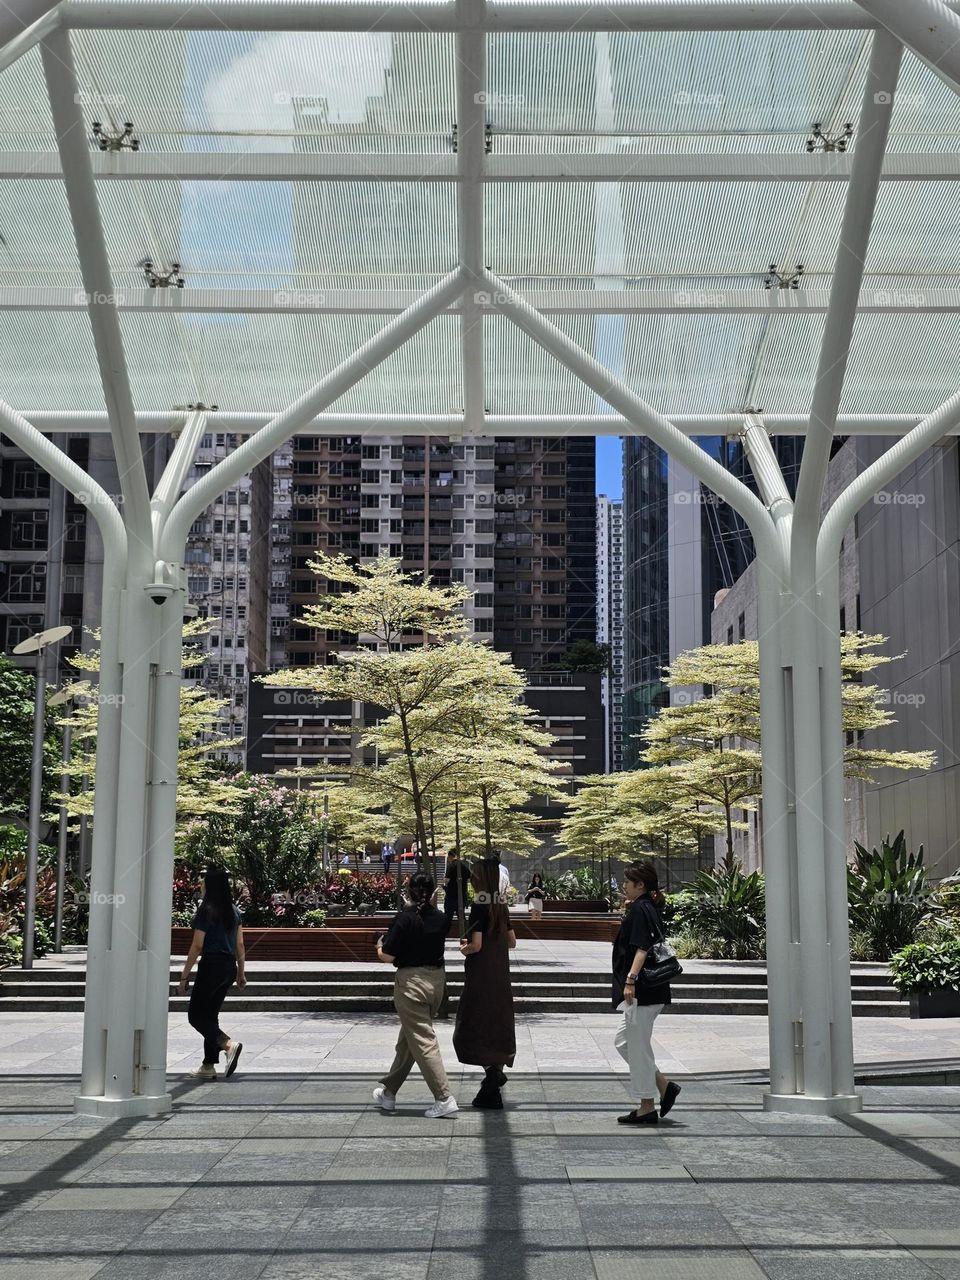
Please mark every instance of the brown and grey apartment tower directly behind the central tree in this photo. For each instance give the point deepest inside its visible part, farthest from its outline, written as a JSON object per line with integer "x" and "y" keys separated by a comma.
{"x": 513, "y": 520}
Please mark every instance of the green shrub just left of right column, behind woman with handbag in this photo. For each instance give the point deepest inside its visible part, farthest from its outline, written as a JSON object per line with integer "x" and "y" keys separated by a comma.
{"x": 725, "y": 911}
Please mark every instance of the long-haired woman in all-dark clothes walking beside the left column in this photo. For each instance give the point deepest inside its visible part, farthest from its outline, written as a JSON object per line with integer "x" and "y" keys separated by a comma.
{"x": 218, "y": 944}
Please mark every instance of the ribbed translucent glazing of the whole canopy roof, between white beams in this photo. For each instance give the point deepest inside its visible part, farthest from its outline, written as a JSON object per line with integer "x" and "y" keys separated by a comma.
{"x": 619, "y": 94}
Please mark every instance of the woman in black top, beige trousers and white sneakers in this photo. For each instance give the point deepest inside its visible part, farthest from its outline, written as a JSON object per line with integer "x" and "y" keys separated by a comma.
{"x": 414, "y": 945}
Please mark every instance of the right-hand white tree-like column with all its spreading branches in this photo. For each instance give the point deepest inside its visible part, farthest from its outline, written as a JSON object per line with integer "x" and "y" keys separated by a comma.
{"x": 798, "y": 551}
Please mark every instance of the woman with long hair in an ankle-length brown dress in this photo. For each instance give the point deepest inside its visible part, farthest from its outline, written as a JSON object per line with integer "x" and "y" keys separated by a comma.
{"x": 484, "y": 1035}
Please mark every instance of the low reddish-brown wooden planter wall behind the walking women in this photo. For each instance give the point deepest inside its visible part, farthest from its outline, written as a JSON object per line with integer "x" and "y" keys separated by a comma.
{"x": 355, "y": 939}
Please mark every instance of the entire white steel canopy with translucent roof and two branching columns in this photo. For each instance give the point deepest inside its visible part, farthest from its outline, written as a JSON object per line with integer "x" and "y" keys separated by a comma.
{"x": 468, "y": 218}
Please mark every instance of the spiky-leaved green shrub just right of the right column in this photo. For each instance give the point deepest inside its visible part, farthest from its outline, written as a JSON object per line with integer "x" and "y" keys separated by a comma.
{"x": 889, "y": 897}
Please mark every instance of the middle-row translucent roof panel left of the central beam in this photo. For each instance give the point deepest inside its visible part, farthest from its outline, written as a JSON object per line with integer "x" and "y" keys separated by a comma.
{"x": 239, "y": 235}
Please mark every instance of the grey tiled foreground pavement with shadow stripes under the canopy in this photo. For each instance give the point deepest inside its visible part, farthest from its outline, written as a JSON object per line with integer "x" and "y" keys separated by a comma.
{"x": 296, "y": 1177}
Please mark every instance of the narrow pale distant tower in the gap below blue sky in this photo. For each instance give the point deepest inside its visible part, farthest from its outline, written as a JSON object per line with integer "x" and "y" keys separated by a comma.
{"x": 610, "y": 623}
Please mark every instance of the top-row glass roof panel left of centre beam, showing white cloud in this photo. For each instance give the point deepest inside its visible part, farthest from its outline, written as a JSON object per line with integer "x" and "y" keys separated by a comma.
{"x": 276, "y": 92}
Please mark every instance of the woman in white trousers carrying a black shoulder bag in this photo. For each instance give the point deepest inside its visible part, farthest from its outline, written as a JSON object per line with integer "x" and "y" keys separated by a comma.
{"x": 641, "y": 929}
